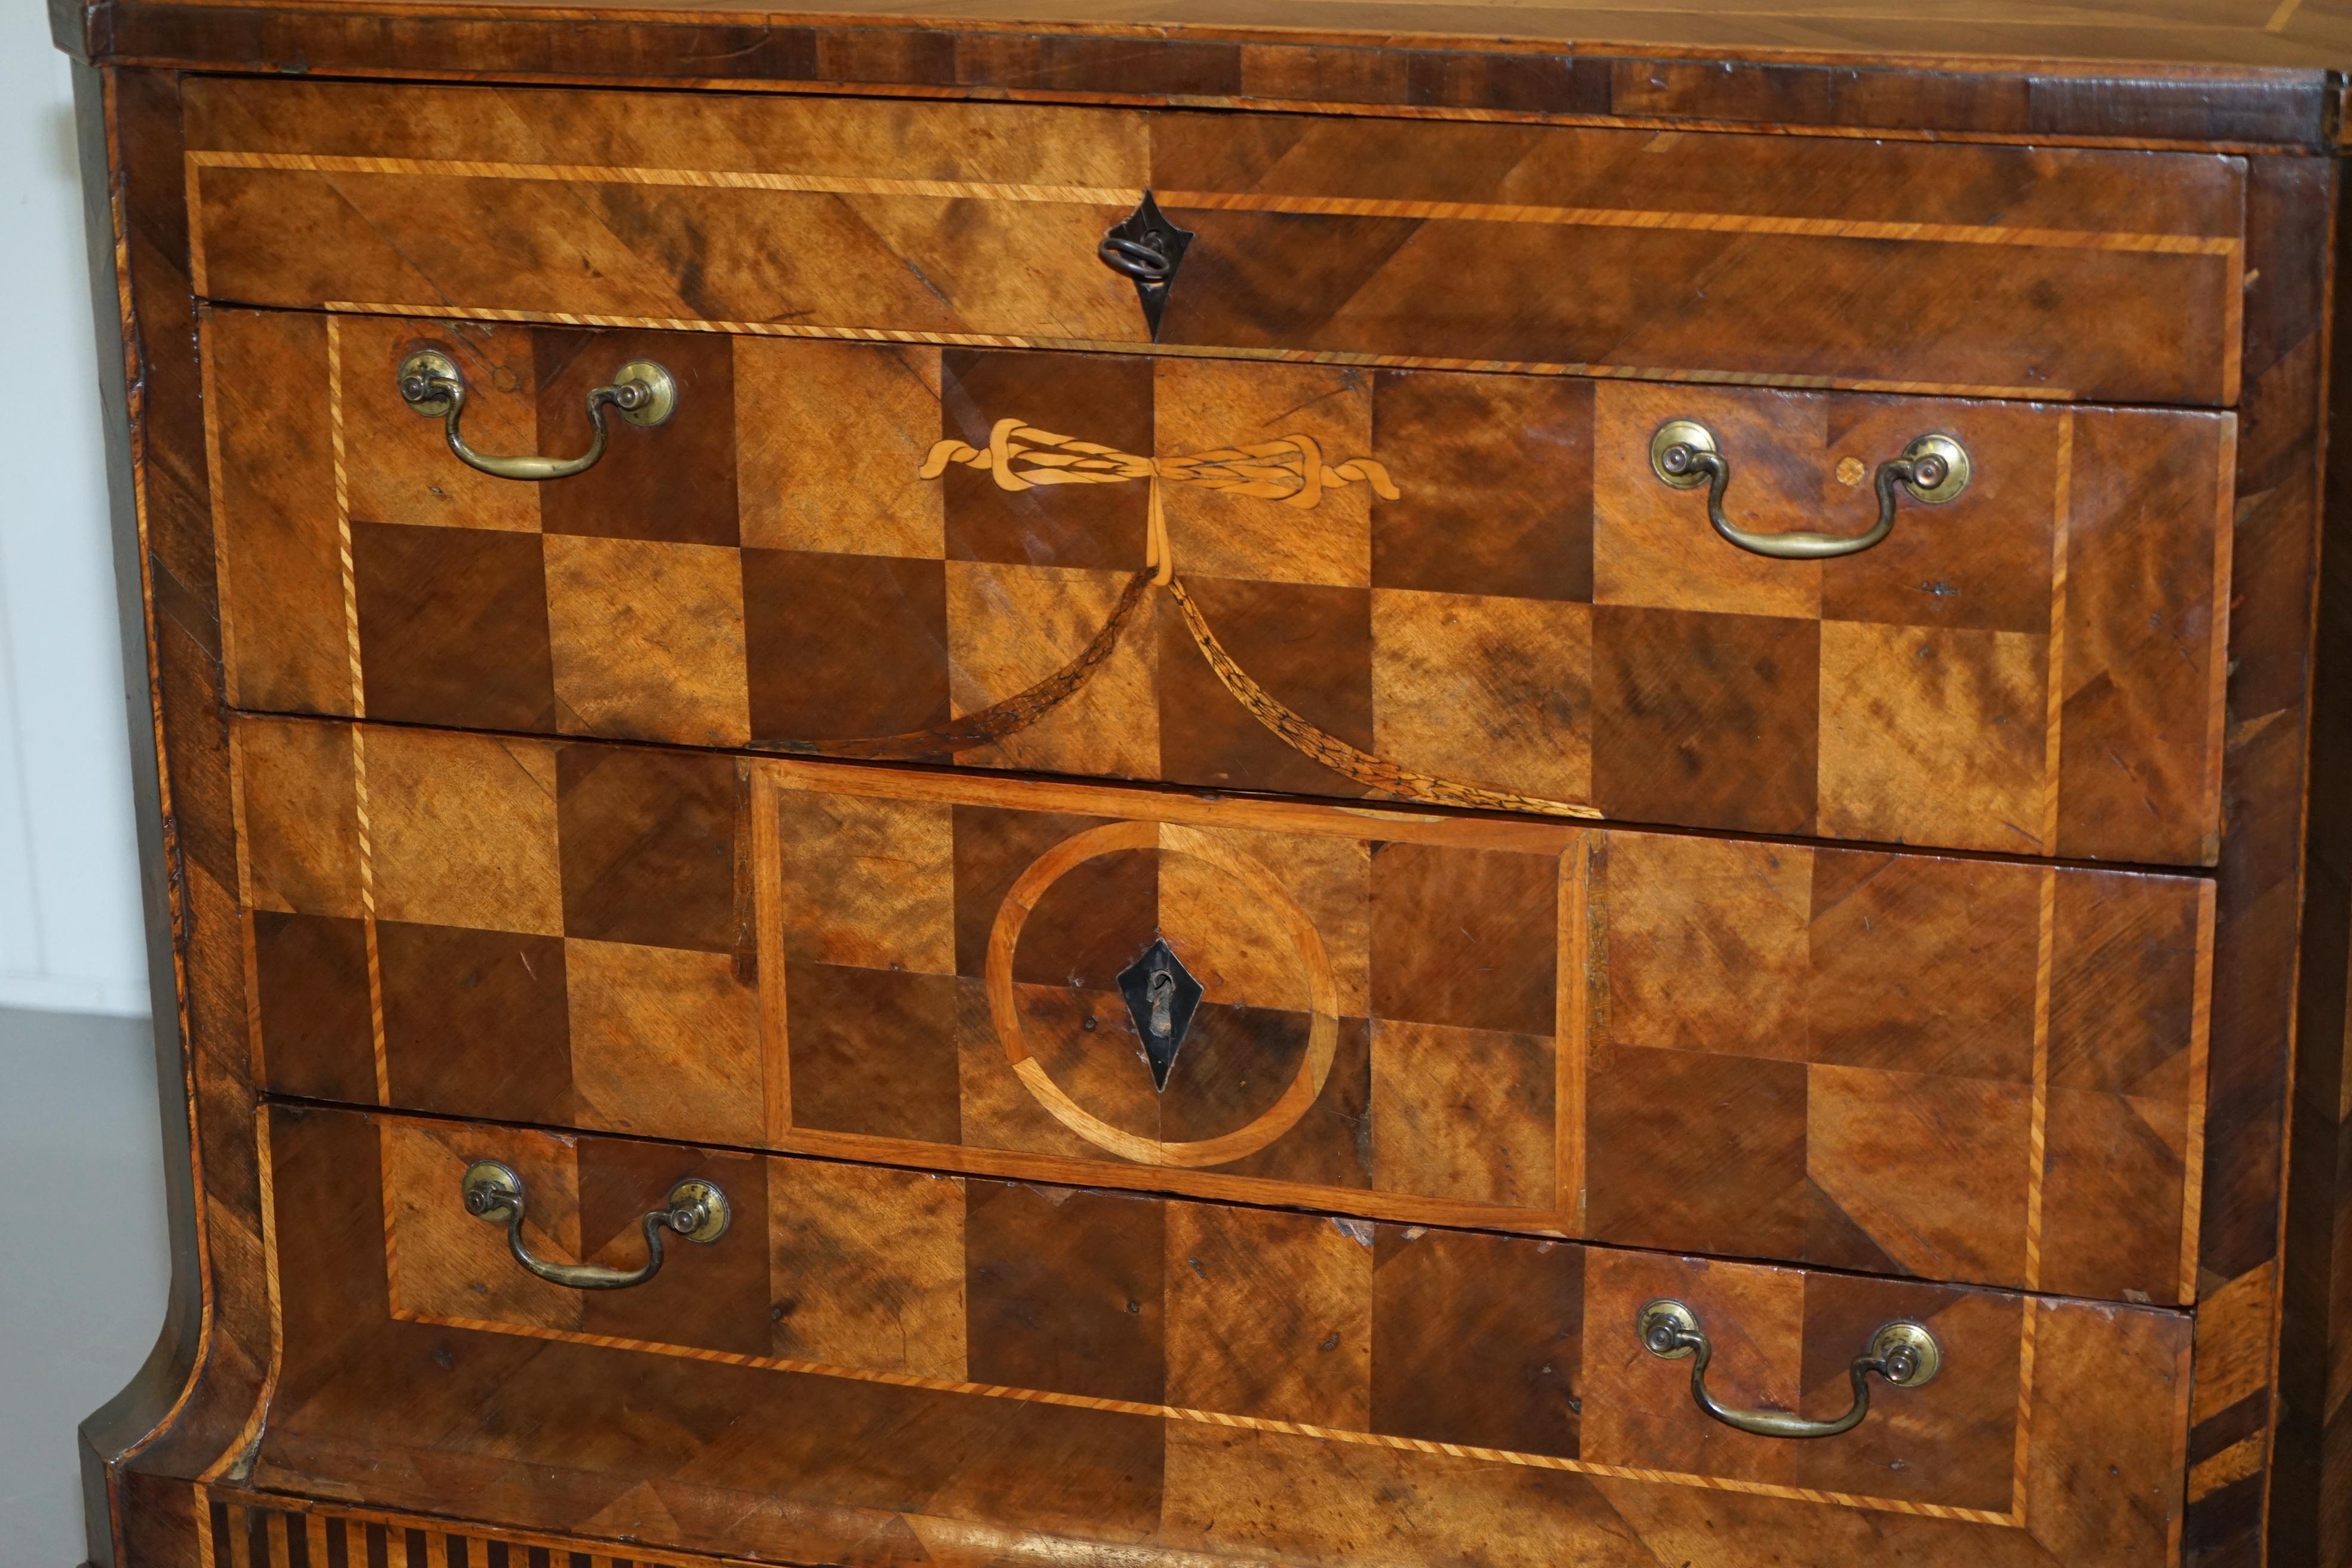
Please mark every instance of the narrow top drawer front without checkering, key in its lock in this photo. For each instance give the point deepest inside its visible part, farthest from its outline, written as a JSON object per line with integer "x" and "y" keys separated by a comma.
{"x": 1970, "y": 269}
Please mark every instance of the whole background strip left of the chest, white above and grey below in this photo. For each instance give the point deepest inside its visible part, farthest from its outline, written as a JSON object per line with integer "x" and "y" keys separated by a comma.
{"x": 81, "y": 1162}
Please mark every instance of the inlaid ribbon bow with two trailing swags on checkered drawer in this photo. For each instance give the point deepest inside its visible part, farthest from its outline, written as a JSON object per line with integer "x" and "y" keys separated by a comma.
{"x": 1290, "y": 471}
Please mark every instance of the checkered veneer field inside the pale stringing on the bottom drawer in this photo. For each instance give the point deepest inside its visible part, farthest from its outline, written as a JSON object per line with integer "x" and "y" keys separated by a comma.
{"x": 1210, "y": 1315}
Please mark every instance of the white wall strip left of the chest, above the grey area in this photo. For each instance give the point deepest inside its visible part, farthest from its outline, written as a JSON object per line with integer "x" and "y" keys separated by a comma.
{"x": 69, "y": 871}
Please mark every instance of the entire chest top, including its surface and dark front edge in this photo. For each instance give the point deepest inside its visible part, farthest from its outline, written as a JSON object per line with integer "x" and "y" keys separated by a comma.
{"x": 2236, "y": 74}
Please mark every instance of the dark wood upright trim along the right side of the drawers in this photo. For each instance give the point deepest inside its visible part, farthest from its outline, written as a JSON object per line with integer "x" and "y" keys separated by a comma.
{"x": 2292, "y": 208}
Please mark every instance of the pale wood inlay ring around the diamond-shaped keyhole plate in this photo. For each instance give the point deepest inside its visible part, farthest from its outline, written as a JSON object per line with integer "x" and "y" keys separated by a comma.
{"x": 1170, "y": 838}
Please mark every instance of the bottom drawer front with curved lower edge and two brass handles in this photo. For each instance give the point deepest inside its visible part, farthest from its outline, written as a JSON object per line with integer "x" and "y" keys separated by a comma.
{"x": 1083, "y": 1374}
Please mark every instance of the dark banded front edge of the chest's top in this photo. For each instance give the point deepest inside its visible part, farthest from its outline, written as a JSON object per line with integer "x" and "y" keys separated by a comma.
{"x": 2014, "y": 100}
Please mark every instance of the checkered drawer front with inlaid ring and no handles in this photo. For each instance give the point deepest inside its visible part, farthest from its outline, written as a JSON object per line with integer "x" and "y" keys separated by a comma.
{"x": 1890, "y": 1064}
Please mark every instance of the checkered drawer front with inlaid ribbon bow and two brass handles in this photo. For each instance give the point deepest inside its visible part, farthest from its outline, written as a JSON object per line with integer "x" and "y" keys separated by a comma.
{"x": 1434, "y": 587}
